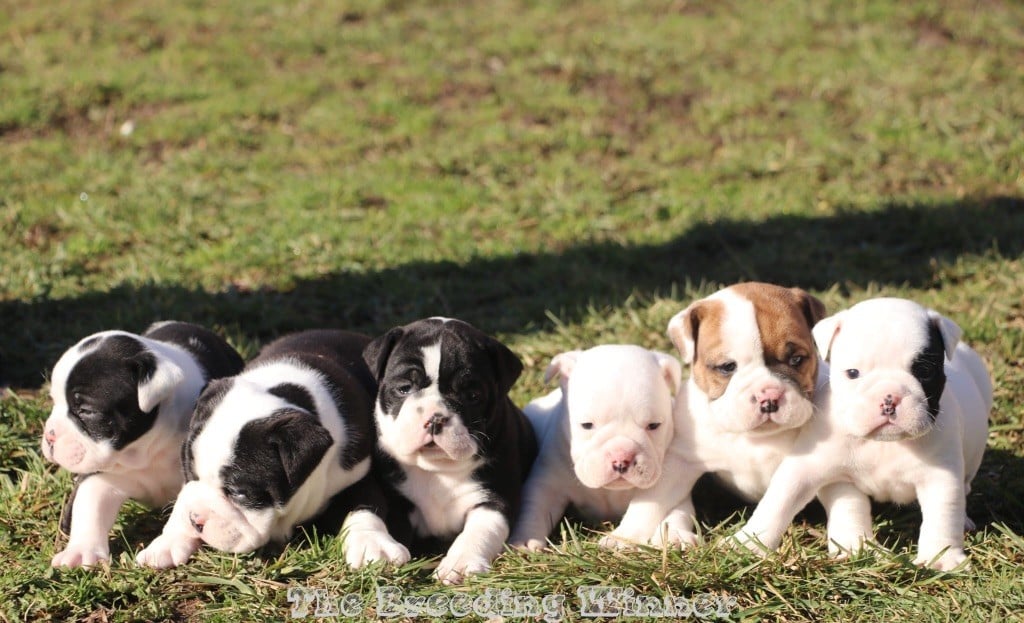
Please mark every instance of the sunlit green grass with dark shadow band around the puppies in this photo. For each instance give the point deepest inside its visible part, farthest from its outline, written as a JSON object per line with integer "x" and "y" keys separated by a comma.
{"x": 560, "y": 174}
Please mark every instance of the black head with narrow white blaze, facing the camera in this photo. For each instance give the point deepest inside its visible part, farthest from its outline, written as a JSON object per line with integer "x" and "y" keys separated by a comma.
{"x": 441, "y": 384}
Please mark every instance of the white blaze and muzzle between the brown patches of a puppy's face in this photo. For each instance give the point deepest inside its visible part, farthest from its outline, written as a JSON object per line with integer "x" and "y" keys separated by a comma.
{"x": 741, "y": 356}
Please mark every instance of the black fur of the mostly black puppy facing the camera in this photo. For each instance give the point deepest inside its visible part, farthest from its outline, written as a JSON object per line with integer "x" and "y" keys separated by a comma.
{"x": 477, "y": 373}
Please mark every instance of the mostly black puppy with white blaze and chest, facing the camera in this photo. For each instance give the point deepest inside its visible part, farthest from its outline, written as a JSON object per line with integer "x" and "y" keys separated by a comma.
{"x": 452, "y": 444}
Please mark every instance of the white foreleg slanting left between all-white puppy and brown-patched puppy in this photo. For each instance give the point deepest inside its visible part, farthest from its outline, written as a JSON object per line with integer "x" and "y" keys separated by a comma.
{"x": 652, "y": 507}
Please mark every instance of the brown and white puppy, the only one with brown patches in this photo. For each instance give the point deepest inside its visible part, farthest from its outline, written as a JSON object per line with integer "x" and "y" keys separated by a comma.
{"x": 754, "y": 376}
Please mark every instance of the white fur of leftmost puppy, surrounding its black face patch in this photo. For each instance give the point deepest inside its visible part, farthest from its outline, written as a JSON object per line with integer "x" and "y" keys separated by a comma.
{"x": 149, "y": 470}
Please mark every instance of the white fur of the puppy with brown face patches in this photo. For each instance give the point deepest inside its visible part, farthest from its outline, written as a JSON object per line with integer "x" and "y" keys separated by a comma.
{"x": 729, "y": 437}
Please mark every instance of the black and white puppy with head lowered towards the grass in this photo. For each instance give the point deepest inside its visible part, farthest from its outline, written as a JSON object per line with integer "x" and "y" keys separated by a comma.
{"x": 269, "y": 449}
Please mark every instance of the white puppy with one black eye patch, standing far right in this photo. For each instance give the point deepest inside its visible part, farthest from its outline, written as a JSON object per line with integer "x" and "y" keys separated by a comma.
{"x": 907, "y": 420}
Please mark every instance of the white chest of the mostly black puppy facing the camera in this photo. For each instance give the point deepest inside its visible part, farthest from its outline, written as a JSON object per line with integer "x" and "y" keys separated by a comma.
{"x": 442, "y": 500}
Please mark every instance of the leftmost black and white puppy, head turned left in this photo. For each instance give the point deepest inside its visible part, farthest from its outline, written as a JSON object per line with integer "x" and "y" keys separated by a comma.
{"x": 121, "y": 409}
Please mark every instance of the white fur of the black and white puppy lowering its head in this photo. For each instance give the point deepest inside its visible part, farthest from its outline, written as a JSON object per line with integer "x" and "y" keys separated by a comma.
{"x": 228, "y": 526}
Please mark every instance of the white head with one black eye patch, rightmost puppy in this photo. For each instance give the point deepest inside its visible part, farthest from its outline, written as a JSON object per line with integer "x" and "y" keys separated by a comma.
{"x": 887, "y": 368}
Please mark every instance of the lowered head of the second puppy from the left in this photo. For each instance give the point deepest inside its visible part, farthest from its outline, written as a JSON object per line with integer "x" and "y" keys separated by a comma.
{"x": 253, "y": 443}
